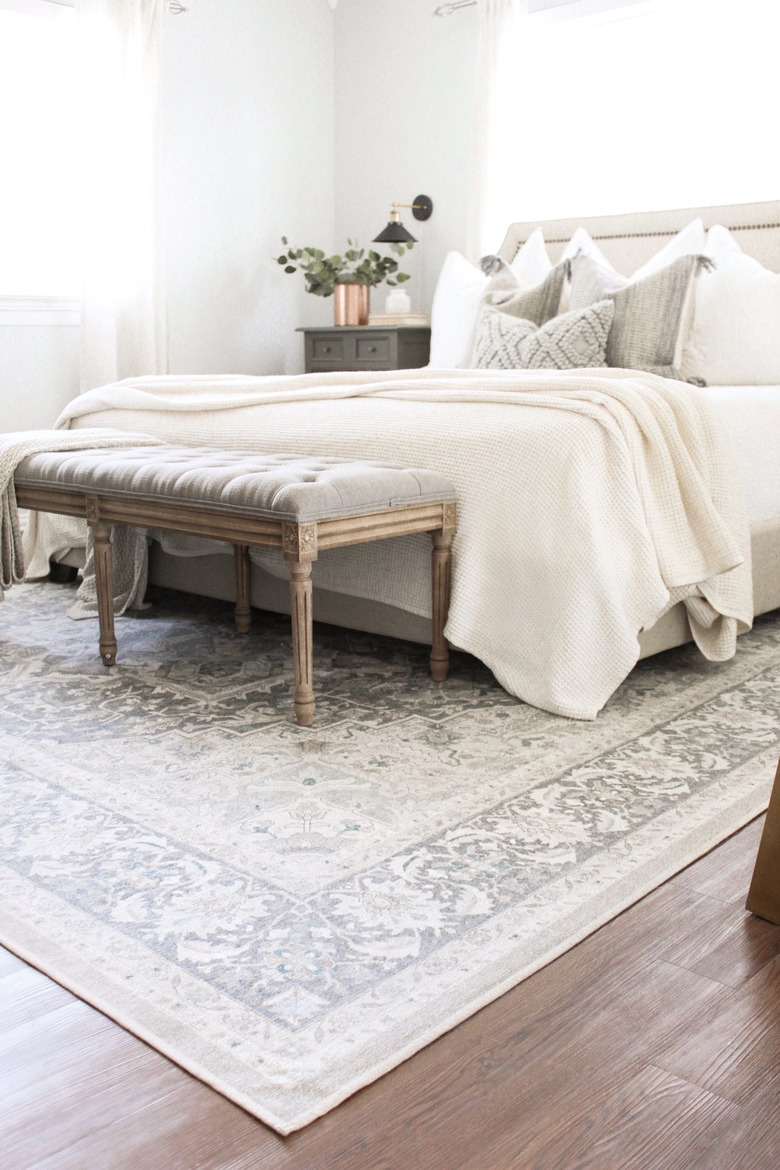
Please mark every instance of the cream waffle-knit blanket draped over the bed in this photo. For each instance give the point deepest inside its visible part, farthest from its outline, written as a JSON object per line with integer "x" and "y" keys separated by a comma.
{"x": 590, "y": 503}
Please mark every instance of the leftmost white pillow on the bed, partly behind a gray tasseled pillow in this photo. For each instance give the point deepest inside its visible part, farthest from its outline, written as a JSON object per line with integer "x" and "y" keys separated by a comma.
{"x": 459, "y": 295}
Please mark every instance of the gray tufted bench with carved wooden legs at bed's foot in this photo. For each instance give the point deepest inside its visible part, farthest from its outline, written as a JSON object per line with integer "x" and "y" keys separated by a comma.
{"x": 298, "y": 505}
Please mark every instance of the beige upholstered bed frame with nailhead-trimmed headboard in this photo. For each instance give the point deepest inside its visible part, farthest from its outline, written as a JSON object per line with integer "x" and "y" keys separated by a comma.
{"x": 627, "y": 242}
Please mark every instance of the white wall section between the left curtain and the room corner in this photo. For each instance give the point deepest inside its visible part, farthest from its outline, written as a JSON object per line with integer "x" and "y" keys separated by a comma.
{"x": 249, "y": 127}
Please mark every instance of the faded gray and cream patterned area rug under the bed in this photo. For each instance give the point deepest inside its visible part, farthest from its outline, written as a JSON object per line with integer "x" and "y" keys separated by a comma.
{"x": 291, "y": 913}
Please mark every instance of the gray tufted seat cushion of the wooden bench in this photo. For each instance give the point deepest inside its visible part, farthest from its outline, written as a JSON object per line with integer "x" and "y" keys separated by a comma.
{"x": 281, "y": 487}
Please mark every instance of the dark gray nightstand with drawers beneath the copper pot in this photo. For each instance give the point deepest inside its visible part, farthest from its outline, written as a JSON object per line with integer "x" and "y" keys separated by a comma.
{"x": 367, "y": 348}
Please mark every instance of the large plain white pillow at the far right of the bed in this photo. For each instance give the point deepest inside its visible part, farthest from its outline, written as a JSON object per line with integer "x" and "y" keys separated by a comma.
{"x": 735, "y": 340}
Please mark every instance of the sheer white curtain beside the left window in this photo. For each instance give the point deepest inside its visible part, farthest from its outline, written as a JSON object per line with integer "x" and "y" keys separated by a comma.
{"x": 125, "y": 331}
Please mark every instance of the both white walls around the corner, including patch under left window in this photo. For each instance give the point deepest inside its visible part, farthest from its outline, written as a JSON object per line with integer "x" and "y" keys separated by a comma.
{"x": 281, "y": 118}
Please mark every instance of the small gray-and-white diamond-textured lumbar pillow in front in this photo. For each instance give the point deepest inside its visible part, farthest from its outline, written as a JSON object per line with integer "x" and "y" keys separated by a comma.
{"x": 575, "y": 341}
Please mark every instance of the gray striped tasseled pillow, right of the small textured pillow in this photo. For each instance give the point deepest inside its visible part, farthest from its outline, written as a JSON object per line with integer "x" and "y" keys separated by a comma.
{"x": 652, "y": 315}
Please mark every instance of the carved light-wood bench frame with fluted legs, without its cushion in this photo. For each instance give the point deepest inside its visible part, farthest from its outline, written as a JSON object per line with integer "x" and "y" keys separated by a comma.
{"x": 299, "y": 542}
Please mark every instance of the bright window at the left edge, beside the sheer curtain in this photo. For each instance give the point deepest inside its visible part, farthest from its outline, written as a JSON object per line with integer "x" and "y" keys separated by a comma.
{"x": 39, "y": 192}
